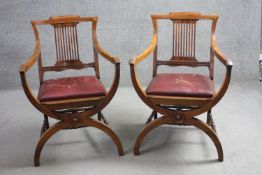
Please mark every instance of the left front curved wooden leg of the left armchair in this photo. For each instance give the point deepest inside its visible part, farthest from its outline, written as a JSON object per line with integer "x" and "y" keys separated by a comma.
{"x": 43, "y": 139}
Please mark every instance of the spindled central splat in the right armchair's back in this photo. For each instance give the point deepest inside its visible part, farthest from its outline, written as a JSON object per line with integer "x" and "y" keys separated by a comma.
{"x": 184, "y": 40}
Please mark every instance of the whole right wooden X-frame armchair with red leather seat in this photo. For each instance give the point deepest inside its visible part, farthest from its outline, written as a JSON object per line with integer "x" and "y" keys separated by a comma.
{"x": 180, "y": 97}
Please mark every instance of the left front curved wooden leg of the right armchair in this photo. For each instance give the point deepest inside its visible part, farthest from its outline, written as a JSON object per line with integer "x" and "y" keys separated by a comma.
{"x": 149, "y": 127}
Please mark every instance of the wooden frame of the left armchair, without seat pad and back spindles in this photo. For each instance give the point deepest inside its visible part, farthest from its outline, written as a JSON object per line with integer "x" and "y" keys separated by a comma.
{"x": 77, "y": 115}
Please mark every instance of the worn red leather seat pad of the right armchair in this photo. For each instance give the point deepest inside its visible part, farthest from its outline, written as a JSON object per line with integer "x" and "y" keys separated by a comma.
{"x": 190, "y": 85}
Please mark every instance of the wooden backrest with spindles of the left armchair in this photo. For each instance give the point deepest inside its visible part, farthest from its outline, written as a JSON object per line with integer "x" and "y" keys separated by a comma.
{"x": 66, "y": 44}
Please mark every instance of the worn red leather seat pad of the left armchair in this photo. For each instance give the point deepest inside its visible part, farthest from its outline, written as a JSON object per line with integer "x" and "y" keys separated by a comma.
{"x": 71, "y": 87}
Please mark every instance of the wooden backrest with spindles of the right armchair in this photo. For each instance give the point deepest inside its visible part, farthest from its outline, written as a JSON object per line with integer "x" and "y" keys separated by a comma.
{"x": 184, "y": 40}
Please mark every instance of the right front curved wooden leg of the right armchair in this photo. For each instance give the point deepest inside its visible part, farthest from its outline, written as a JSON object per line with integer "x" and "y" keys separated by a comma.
{"x": 212, "y": 135}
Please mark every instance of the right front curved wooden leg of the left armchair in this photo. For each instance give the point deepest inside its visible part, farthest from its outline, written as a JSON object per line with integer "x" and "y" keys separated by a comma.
{"x": 108, "y": 131}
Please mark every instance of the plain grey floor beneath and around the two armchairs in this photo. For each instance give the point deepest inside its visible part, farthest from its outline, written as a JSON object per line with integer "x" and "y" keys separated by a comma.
{"x": 166, "y": 150}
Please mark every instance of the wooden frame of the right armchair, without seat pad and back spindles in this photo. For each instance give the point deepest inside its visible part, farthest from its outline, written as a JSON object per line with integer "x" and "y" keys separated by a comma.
{"x": 184, "y": 108}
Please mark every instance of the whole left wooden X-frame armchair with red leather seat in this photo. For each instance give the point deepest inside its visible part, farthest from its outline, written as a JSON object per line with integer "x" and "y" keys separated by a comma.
{"x": 70, "y": 100}
